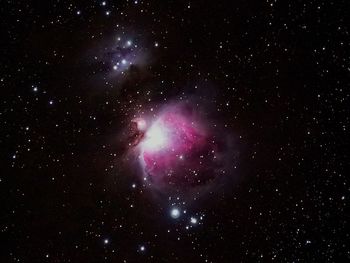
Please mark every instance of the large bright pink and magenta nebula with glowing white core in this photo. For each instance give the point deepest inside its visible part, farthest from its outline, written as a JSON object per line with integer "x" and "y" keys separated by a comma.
{"x": 176, "y": 149}
